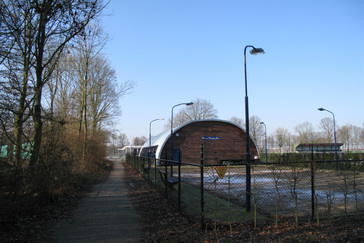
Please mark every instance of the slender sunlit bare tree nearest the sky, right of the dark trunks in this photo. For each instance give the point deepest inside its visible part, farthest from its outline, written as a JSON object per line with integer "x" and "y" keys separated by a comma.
{"x": 95, "y": 81}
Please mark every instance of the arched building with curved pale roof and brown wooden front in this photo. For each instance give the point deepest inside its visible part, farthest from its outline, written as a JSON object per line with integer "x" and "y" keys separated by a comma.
{"x": 222, "y": 140}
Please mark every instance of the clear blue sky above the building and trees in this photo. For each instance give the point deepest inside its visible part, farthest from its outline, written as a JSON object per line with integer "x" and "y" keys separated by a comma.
{"x": 178, "y": 51}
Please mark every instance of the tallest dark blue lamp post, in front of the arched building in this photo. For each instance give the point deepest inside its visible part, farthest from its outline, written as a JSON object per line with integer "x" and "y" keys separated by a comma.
{"x": 254, "y": 51}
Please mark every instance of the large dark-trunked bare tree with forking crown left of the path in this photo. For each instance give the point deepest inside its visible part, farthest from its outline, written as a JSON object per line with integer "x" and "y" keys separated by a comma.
{"x": 48, "y": 26}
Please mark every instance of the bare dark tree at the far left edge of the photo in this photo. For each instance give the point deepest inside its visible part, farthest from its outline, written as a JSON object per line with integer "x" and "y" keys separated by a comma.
{"x": 18, "y": 37}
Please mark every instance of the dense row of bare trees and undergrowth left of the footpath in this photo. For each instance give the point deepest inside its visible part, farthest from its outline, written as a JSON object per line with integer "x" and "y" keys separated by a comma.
{"x": 58, "y": 94}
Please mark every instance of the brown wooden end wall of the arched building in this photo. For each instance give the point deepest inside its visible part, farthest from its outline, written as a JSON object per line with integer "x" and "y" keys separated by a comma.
{"x": 222, "y": 141}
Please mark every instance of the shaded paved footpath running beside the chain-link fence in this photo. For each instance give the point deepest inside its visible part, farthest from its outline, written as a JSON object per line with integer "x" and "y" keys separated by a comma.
{"x": 105, "y": 215}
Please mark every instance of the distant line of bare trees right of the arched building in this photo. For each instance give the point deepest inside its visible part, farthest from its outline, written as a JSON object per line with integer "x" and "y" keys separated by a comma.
{"x": 281, "y": 140}
